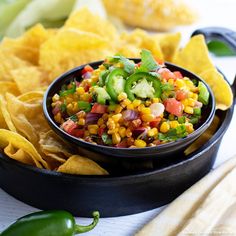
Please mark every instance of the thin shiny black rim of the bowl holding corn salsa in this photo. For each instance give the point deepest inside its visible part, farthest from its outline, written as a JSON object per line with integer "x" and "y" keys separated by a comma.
{"x": 130, "y": 150}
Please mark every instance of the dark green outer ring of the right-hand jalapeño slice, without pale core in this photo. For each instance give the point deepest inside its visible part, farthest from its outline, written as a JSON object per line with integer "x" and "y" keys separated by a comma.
{"x": 143, "y": 76}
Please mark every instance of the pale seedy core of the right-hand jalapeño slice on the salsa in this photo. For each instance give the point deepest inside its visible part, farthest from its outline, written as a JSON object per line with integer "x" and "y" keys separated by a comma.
{"x": 143, "y": 89}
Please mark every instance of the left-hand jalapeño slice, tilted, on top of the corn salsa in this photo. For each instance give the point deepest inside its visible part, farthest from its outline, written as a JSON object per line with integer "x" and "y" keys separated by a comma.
{"x": 115, "y": 83}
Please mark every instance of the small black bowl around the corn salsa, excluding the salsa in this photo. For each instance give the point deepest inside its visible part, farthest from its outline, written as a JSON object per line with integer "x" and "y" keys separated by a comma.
{"x": 130, "y": 154}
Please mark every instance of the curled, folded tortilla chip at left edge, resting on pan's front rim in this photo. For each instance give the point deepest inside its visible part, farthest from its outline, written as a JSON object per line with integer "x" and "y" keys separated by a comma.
{"x": 18, "y": 142}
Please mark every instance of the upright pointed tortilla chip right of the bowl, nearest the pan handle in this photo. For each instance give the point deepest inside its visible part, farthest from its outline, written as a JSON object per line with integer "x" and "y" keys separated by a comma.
{"x": 194, "y": 56}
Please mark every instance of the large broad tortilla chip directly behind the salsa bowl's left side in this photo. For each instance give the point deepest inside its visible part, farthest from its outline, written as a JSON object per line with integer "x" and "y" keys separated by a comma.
{"x": 70, "y": 48}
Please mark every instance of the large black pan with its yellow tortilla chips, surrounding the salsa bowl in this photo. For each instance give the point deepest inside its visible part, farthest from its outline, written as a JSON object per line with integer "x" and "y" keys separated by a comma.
{"x": 39, "y": 168}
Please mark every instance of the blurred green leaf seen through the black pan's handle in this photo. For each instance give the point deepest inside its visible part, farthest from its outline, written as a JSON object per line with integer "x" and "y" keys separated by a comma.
{"x": 220, "y": 49}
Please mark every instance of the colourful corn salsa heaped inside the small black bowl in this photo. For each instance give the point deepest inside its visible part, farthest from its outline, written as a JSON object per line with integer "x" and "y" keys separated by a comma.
{"x": 130, "y": 105}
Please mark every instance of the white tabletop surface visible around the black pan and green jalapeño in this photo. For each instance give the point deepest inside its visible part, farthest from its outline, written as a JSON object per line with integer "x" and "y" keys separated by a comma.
{"x": 213, "y": 13}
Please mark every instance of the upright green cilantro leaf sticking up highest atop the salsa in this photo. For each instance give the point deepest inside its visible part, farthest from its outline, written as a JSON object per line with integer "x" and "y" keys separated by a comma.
{"x": 148, "y": 63}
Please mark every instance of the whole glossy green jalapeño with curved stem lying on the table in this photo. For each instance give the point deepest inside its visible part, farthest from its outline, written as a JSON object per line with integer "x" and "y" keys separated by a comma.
{"x": 48, "y": 223}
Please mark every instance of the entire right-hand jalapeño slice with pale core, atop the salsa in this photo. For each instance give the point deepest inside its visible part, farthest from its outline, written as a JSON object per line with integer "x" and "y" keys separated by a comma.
{"x": 150, "y": 86}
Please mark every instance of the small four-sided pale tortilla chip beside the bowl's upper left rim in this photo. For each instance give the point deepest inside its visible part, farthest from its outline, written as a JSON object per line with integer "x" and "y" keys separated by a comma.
{"x": 28, "y": 78}
